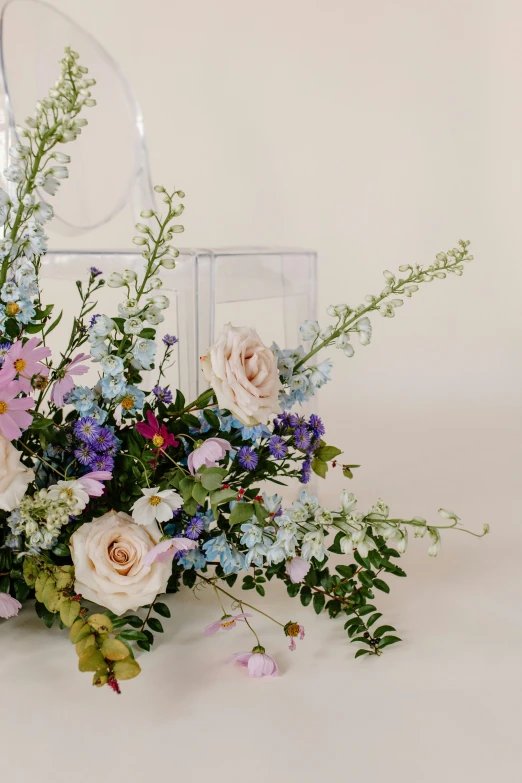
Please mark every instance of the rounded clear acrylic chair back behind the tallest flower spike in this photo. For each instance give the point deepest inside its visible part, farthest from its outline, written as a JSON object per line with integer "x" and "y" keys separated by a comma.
{"x": 109, "y": 168}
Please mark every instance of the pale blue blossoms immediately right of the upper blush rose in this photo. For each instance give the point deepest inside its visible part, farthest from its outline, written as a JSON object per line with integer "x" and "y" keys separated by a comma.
{"x": 303, "y": 383}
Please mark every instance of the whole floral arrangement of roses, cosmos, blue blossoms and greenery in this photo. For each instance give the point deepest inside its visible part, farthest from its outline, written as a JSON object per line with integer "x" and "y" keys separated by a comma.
{"x": 114, "y": 493}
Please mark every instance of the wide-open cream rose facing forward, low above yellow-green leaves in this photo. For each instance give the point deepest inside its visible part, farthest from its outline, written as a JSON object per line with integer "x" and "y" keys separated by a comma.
{"x": 108, "y": 559}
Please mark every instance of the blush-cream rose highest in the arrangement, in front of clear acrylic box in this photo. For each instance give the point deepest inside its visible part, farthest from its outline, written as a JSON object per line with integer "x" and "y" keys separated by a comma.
{"x": 243, "y": 373}
